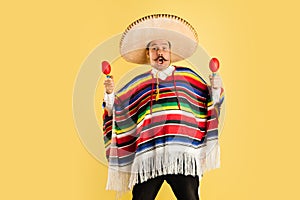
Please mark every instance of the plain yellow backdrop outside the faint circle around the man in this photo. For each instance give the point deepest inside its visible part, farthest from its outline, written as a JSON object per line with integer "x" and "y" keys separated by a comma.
{"x": 43, "y": 44}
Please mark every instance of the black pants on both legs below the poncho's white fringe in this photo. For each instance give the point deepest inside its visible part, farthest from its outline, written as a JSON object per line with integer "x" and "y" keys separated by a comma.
{"x": 184, "y": 187}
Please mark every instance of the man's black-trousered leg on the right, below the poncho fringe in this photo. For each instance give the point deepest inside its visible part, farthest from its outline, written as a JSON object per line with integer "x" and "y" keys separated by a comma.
{"x": 184, "y": 187}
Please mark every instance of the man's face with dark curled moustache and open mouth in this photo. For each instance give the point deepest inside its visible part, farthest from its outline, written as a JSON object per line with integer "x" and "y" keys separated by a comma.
{"x": 159, "y": 54}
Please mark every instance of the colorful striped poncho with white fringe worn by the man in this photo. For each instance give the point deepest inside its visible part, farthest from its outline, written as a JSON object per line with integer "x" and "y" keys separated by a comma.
{"x": 175, "y": 134}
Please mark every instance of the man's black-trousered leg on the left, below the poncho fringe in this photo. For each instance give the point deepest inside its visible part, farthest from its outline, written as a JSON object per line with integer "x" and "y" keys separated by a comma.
{"x": 147, "y": 190}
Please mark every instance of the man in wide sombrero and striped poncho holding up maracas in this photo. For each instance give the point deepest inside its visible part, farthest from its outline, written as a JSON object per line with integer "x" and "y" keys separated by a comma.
{"x": 163, "y": 124}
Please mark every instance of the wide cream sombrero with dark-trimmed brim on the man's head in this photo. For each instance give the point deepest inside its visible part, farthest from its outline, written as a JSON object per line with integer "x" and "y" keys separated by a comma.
{"x": 177, "y": 31}
